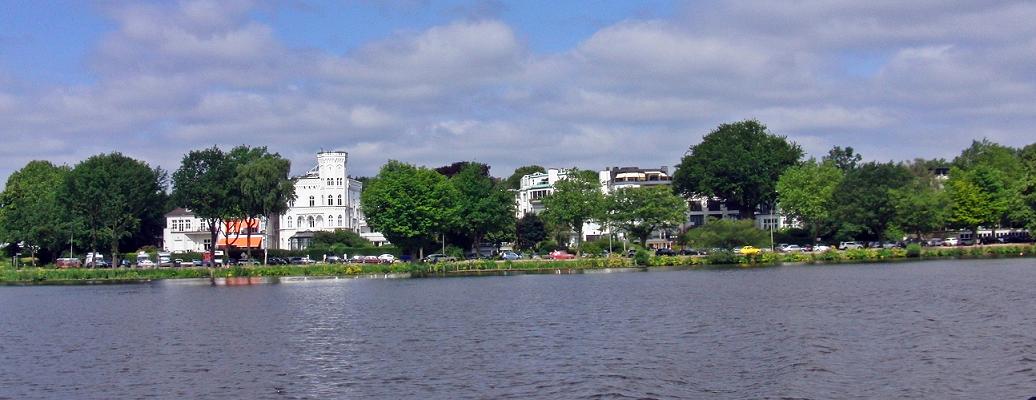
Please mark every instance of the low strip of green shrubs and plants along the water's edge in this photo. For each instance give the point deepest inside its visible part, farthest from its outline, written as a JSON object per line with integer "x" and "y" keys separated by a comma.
{"x": 73, "y": 276}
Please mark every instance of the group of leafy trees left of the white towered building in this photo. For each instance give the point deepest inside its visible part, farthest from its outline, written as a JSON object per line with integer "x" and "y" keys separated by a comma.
{"x": 111, "y": 202}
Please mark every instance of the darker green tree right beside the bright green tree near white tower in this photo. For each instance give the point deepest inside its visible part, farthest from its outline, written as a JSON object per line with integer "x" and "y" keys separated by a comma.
{"x": 482, "y": 206}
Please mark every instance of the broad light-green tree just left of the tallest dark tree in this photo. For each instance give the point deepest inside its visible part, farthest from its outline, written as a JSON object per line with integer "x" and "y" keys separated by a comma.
{"x": 640, "y": 212}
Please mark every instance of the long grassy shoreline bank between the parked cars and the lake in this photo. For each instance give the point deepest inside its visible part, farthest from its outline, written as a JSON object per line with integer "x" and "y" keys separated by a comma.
{"x": 287, "y": 274}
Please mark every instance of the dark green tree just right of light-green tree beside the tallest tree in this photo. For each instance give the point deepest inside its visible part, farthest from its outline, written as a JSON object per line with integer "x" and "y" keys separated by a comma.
{"x": 864, "y": 205}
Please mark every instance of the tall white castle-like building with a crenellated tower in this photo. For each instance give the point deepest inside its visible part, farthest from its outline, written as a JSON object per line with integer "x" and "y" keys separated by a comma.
{"x": 326, "y": 199}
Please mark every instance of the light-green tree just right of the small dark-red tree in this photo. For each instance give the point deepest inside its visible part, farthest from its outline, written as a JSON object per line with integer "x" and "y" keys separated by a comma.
{"x": 577, "y": 199}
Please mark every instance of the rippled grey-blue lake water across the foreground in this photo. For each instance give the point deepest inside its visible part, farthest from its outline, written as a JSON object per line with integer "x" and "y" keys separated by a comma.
{"x": 938, "y": 330}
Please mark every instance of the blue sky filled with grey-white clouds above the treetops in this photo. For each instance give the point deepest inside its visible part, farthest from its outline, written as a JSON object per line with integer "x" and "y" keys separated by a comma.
{"x": 509, "y": 83}
